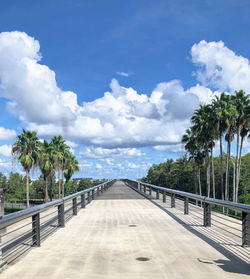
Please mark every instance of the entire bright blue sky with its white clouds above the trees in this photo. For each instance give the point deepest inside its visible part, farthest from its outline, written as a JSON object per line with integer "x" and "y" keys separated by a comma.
{"x": 118, "y": 79}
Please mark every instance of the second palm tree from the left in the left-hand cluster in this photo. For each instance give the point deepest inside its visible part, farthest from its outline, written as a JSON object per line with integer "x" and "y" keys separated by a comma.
{"x": 46, "y": 164}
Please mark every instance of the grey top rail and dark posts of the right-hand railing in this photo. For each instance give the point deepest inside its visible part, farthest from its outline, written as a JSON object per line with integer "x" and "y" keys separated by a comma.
{"x": 204, "y": 201}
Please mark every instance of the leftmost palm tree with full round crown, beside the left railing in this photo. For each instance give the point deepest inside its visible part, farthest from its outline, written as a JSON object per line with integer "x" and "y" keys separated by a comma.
{"x": 27, "y": 148}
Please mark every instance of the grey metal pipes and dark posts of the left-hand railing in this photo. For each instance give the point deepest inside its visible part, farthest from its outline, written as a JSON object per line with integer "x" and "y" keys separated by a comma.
{"x": 36, "y": 227}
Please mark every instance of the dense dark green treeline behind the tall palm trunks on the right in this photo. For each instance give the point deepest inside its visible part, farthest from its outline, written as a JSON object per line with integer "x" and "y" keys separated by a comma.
{"x": 179, "y": 175}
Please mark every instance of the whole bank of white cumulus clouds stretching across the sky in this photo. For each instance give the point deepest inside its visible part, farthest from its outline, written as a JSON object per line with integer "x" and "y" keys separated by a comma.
{"x": 123, "y": 118}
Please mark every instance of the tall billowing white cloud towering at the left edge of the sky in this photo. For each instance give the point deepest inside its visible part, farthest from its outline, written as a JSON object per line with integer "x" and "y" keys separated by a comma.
{"x": 31, "y": 87}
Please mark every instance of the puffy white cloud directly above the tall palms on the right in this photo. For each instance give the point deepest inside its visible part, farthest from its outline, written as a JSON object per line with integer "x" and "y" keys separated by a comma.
{"x": 220, "y": 67}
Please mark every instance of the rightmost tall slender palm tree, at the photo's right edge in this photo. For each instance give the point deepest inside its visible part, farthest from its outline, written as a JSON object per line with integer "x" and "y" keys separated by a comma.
{"x": 241, "y": 101}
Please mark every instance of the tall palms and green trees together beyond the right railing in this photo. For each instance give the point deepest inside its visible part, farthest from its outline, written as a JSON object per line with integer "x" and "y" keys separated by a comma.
{"x": 226, "y": 117}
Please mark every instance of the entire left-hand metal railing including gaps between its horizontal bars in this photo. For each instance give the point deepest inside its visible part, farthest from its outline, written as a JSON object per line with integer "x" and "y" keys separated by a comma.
{"x": 17, "y": 235}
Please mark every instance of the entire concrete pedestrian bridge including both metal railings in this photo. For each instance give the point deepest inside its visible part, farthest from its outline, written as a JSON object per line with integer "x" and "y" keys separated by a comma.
{"x": 125, "y": 229}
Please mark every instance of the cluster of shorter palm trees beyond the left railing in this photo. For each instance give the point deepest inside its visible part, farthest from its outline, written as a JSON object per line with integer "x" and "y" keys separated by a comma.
{"x": 49, "y": 156}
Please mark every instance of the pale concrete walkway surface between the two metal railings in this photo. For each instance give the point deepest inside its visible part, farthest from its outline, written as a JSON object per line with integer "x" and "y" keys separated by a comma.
{"x": 101, "y": 243}
